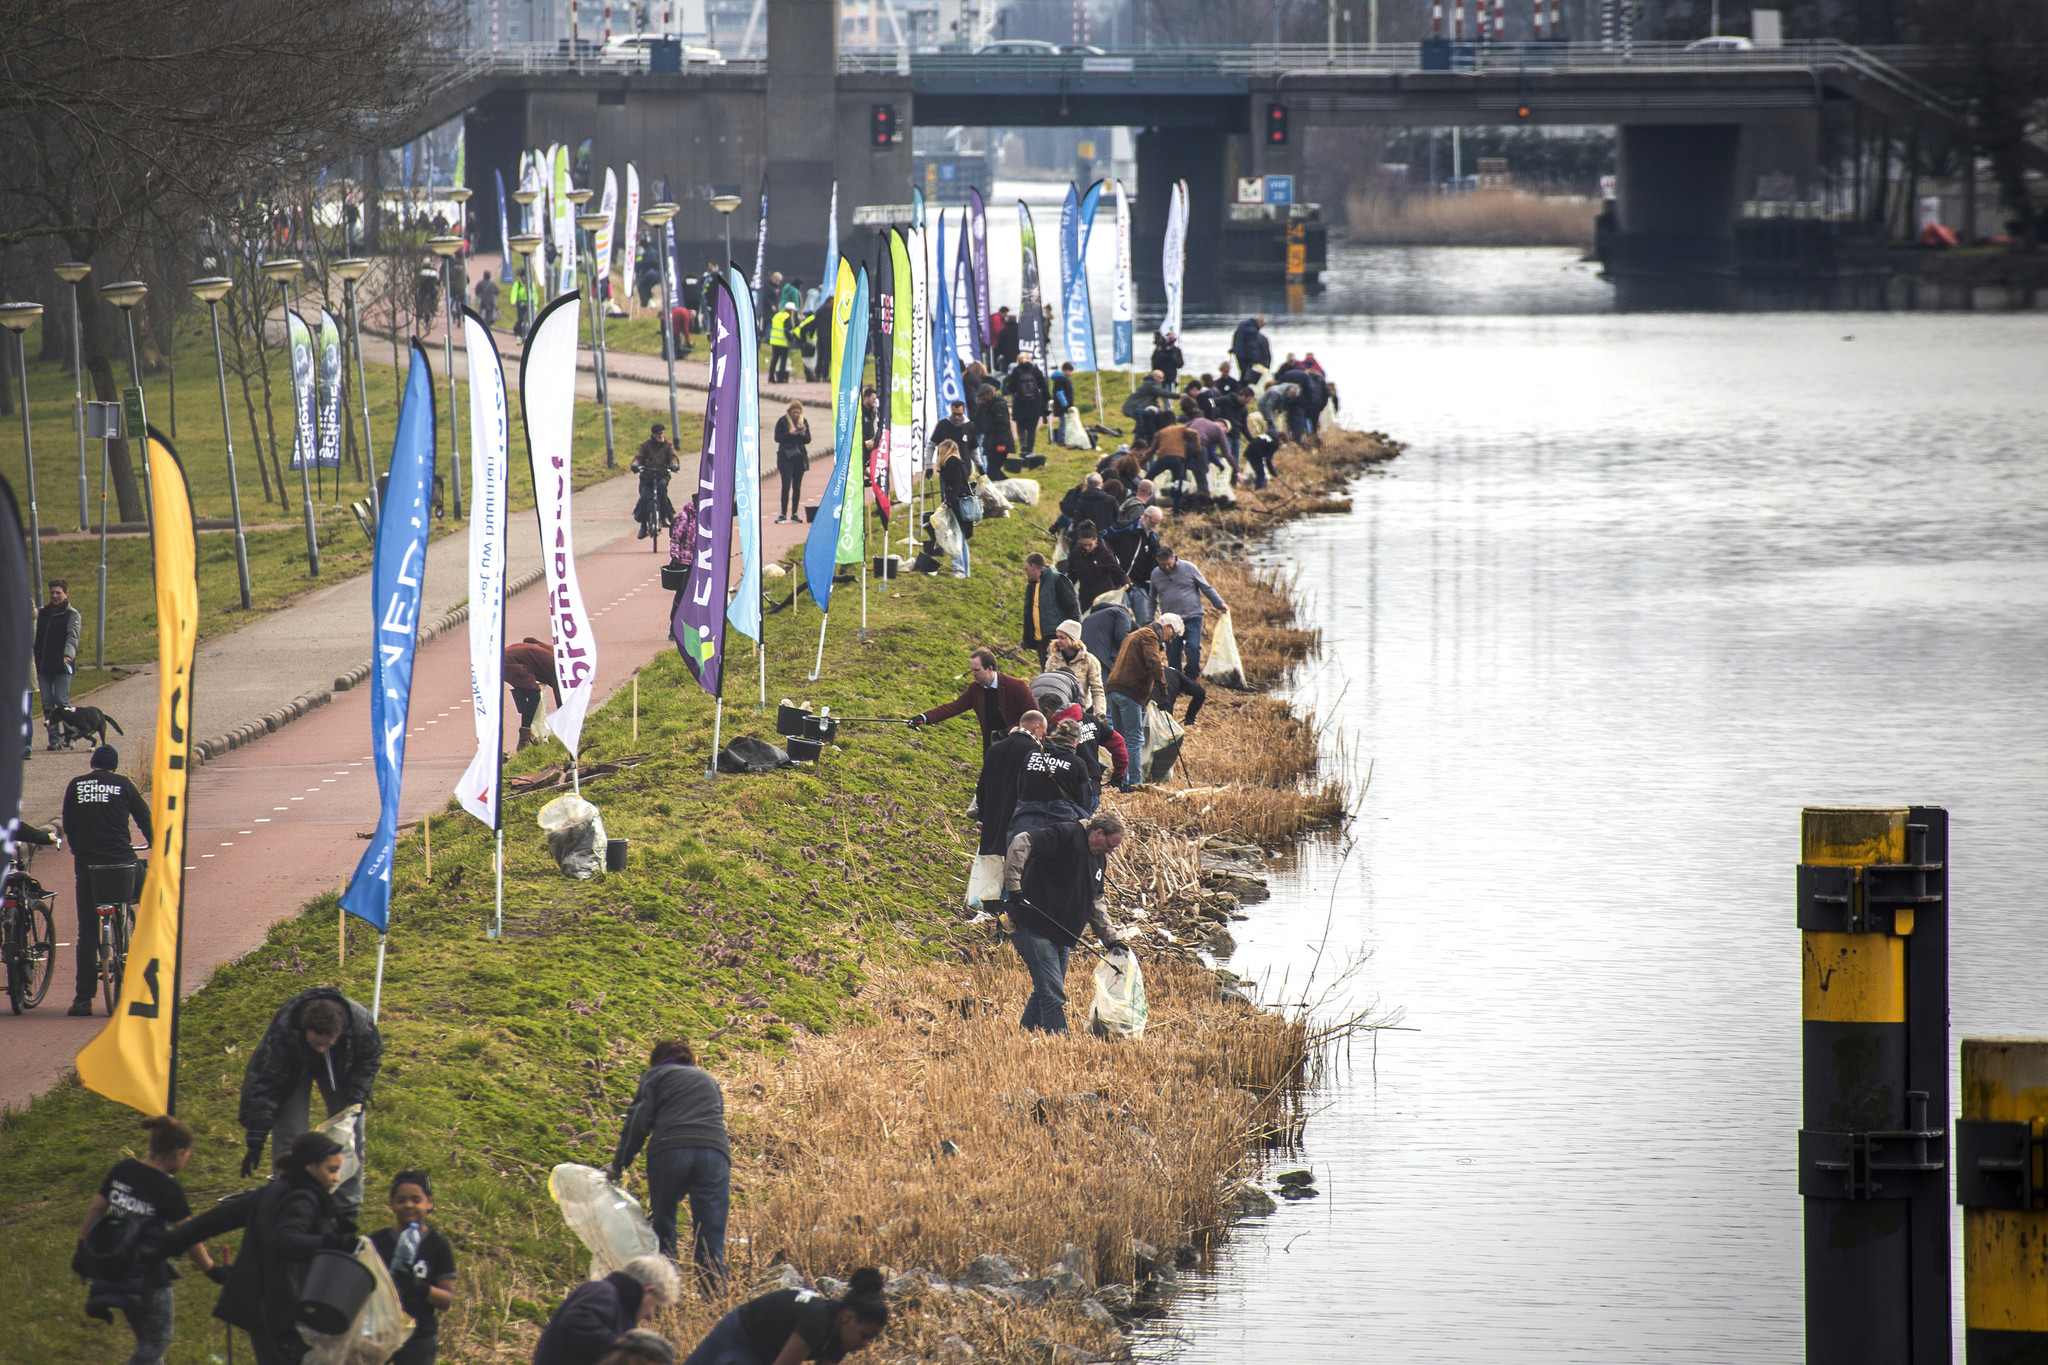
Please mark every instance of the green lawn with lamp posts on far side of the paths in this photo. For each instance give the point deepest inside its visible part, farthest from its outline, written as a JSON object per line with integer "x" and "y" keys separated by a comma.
{"x": 278, "y": 556}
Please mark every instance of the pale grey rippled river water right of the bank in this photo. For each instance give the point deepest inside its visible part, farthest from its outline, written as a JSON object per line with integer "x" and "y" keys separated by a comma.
{"x": 1639, "y": 590}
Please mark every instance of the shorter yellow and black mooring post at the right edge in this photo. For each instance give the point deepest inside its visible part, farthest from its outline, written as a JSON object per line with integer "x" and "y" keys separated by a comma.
{"x": 2004, "y": 1196}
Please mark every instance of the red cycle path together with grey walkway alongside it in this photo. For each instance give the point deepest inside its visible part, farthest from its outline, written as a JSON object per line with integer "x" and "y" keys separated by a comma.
{"x": 275, "y": 822}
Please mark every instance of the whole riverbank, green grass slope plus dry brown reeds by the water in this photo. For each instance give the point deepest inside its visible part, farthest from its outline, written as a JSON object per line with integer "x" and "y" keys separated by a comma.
{"x": 802, "y": 930}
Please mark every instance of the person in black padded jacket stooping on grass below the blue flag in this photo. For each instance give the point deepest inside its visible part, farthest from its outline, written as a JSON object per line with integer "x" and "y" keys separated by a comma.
{"x": 316, "y": 1039}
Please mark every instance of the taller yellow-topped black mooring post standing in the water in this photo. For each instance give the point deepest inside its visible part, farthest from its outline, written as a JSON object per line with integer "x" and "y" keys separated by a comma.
{"x": 1873, "y": 1149}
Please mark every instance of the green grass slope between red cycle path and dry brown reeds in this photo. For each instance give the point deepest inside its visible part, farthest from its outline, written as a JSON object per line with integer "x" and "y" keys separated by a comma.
{"x": 744, "y": 920}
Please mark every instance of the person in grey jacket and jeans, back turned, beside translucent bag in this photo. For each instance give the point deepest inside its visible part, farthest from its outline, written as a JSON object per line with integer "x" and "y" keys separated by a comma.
{"x": 679, "y": 1116}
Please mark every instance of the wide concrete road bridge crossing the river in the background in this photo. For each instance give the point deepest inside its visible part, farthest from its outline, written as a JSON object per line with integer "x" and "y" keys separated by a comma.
{"x": 1701, "y": 134}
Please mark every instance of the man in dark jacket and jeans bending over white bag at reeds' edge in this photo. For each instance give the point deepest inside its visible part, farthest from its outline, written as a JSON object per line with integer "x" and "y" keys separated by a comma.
{"x": 1056, "y": 883}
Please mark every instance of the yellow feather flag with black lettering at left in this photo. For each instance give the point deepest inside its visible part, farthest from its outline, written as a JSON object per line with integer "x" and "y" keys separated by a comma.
{"x": 136, "y": 1057}
